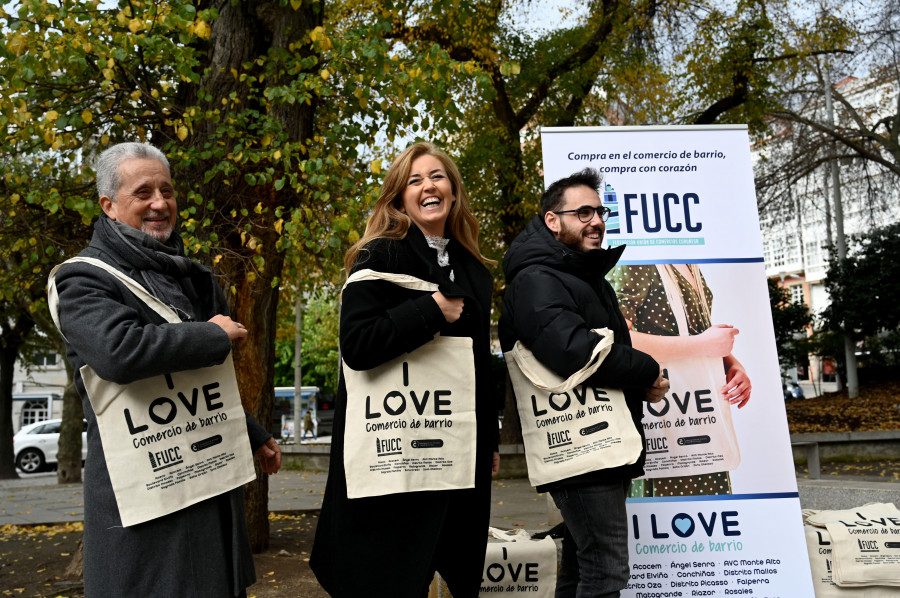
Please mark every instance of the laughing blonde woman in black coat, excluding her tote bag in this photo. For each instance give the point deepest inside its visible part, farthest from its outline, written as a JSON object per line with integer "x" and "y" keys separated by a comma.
{"x": 391, "y": 545}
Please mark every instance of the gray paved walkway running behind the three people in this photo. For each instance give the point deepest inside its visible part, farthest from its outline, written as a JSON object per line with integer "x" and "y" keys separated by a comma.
{"x": 39, "y": 499}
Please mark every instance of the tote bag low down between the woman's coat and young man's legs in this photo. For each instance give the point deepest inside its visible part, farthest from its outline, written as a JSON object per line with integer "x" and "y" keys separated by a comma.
{"x": 516, "y": 565}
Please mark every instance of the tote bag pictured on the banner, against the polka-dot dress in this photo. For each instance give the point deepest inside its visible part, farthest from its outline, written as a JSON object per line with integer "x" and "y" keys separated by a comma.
{"x": 690, "y": 431}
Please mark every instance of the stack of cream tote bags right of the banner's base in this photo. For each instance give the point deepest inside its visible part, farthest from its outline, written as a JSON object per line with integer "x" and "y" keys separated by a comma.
{"x": 855, "y": 552}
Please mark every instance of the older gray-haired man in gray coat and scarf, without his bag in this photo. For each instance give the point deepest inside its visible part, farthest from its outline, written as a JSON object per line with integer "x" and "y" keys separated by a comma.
{"x": 203, "y": 549}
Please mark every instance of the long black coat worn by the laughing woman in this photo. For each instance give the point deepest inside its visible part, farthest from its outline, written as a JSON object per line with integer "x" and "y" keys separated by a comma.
{"x": 388, "y": 545}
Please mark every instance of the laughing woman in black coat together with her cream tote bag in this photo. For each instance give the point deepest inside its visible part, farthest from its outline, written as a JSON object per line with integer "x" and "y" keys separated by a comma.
{"x": 415, "y": 428}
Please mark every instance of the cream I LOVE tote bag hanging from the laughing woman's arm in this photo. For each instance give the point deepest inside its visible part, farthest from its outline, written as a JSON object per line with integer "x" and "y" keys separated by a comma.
{"x": 410, "y": 423}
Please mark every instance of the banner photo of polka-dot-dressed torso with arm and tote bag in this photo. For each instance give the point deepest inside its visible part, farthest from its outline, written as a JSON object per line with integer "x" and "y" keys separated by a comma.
{"x": 691, "y": 443}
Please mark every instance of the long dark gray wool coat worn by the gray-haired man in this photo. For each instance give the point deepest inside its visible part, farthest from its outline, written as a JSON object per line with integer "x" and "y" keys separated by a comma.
{"x": 202, "y": 550}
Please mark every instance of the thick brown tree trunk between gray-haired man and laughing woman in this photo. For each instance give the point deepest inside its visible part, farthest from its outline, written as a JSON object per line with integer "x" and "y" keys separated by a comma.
{"x": 243, "y": 32}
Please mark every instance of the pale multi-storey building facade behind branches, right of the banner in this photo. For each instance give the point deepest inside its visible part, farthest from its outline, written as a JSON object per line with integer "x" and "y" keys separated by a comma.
{"x": 798, "y": 210}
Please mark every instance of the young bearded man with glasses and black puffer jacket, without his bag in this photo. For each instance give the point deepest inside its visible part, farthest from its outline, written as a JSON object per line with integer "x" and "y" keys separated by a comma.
{"x": 556, "y": 295}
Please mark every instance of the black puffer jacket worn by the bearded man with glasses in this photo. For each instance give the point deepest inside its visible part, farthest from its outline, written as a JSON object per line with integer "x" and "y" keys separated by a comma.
{"x": 554, "y": 297}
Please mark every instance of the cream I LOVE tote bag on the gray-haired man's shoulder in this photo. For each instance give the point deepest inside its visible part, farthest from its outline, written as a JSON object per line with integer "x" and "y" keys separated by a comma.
{"x": 170, "y": 441}
